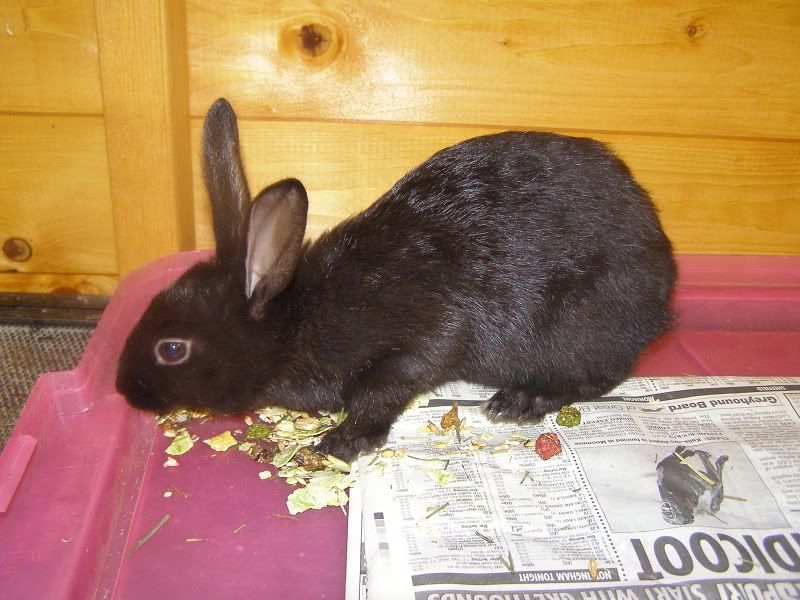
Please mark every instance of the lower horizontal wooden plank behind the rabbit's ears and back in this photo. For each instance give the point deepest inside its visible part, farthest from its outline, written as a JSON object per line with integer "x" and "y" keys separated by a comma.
{"x": 715, "y": 196}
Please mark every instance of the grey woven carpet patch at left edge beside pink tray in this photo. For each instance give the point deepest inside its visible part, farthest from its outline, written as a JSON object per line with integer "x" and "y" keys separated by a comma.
{"x": 27, "y": 351}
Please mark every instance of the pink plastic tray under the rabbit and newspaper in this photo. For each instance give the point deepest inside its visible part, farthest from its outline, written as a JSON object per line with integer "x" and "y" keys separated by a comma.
{"x": 81, "y": 478}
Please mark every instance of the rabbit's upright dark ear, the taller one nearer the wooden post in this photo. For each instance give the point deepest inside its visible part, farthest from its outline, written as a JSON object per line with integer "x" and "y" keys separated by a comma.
{"x": 225, "y": 182}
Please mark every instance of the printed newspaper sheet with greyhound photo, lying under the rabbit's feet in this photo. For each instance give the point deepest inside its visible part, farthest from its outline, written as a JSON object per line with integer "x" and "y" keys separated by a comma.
{"x": 669, "y": 489}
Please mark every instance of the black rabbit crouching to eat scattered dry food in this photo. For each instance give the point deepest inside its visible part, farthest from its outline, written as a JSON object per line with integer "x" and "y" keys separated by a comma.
{"x": 531, "y": 262}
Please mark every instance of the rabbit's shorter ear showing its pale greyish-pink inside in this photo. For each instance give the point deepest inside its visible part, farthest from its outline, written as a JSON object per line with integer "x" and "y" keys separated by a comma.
{"x": 274, "y": 241}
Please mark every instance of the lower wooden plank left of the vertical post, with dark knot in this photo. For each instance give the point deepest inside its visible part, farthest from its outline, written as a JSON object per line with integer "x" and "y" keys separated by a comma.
{"x": 54, "y": 194}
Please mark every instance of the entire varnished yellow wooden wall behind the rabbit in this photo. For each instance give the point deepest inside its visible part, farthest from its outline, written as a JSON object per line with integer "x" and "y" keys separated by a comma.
{"x": 101, "y": 105}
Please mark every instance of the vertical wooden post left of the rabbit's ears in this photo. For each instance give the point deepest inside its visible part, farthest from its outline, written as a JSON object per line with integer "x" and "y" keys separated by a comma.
{"x": 144, "y": 78}
